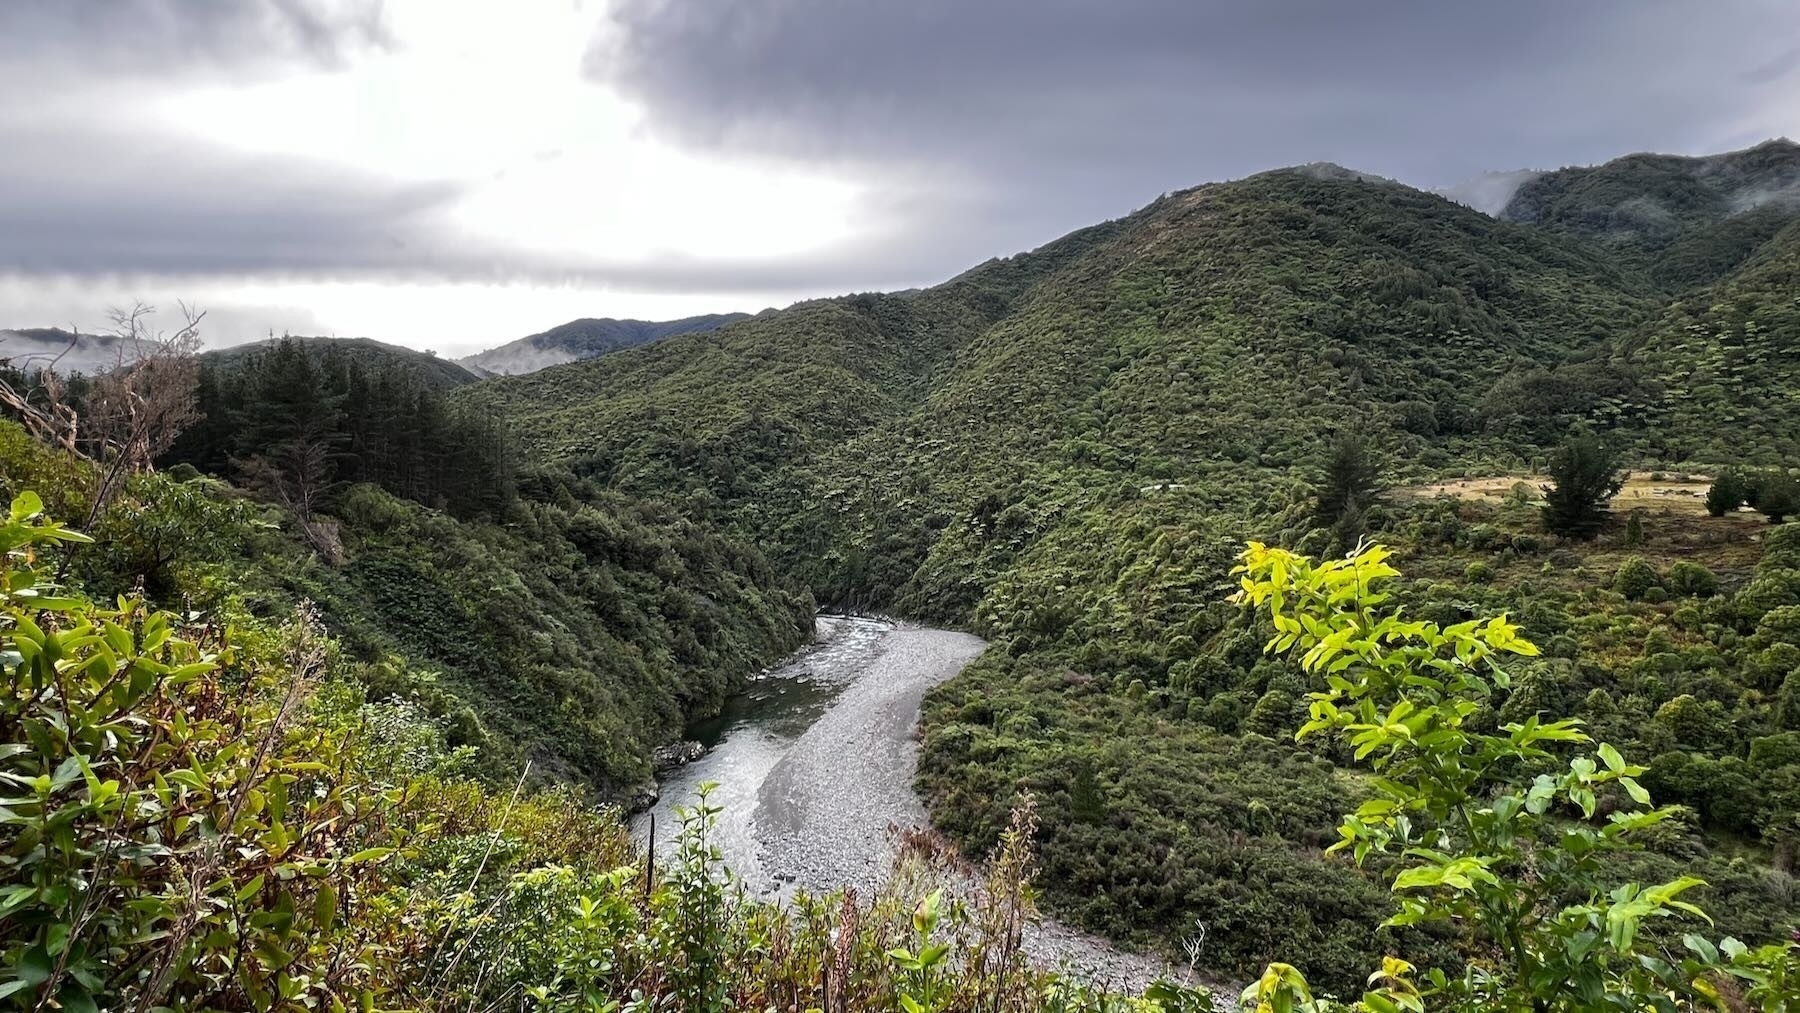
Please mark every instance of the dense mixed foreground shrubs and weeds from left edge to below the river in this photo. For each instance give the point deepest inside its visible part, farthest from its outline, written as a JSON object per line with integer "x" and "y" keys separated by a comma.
{"x": 215, "y": 820}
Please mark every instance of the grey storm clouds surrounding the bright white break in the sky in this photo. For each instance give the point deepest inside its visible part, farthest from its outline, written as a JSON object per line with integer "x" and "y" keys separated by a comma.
{"x": 980, "y": 127}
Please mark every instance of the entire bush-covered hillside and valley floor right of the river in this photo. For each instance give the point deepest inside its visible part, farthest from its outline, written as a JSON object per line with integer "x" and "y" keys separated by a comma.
{"x": 1065, "y": 451}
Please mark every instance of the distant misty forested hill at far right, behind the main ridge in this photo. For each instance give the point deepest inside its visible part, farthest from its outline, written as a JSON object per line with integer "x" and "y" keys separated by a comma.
{"x": 1686, "y": 222}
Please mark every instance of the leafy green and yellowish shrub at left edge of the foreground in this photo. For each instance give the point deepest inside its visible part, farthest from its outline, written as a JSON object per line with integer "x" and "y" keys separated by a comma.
{"x": 181, "y": 836}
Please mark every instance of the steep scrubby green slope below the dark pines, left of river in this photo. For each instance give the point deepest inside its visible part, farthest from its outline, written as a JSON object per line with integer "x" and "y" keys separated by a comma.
{"x": 575, "y": 629}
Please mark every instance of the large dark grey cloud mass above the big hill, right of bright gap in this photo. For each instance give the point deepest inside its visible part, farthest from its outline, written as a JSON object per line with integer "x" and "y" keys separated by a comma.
{"x": 1059, "y": 112}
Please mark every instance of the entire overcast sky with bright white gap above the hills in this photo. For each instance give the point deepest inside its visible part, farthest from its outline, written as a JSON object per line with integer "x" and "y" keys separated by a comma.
{"x": 453, "y": 175}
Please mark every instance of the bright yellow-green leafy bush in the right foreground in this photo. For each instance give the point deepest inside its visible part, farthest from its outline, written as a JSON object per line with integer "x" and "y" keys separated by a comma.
{"x": 1522, "y": 866}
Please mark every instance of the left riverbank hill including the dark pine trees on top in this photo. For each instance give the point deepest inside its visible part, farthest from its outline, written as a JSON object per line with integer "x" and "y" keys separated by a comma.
{"x": 544, "y": 618}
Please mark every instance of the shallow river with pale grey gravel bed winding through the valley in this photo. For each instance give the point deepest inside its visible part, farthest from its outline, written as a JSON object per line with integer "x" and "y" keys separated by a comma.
{"x": 814, "y": 762}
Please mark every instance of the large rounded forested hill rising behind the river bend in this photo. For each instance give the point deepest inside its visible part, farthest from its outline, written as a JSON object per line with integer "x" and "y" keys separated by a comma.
{"x": 867, "y": 435}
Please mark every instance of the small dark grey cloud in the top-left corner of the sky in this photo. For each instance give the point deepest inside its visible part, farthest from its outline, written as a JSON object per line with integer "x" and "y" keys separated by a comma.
{"x": 175, "y": 37}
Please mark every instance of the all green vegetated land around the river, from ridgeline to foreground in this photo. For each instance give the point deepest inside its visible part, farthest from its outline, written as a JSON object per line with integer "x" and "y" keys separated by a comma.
{"x": 1147, "y": 462}
